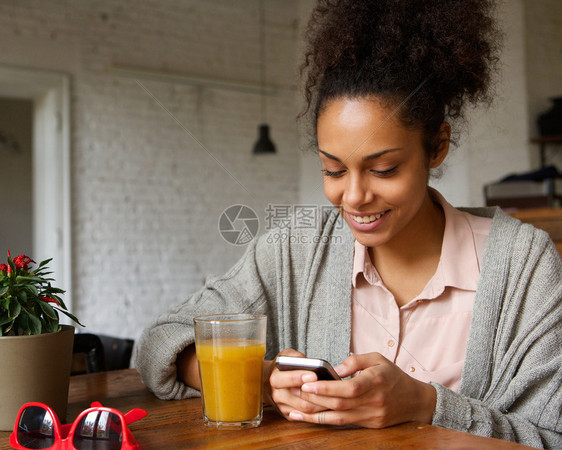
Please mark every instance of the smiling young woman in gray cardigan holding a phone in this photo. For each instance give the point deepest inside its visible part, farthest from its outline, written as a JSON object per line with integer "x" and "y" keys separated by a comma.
{"x": 432, "y": 314}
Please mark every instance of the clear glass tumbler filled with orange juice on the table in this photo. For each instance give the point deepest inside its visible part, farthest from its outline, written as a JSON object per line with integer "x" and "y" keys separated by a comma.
{"x": 230, "y": 350}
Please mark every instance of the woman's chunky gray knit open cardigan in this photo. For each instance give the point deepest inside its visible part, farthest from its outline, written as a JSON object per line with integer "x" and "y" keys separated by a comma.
{"x": 512, "y": 375}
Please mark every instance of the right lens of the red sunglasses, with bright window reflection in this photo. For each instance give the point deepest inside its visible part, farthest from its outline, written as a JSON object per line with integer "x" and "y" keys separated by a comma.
{"x": 99, "y": 430}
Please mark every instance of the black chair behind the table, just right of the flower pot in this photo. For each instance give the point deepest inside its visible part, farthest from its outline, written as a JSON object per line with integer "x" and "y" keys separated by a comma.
{"x": 98, "y": 353}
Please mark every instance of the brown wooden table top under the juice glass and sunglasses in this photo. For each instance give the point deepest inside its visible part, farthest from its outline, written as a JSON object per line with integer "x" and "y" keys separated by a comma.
{"x": 179, "y": 424}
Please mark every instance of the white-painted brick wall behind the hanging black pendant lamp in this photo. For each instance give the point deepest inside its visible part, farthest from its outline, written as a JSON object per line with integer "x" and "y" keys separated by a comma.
{"x": 146, "y": 197}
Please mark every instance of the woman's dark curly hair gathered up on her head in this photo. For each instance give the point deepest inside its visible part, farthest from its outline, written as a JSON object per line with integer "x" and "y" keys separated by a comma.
{"x": 428, "y": 56}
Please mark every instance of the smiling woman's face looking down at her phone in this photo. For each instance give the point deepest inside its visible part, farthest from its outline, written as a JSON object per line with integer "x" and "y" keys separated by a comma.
{"x": 375, "y": 171}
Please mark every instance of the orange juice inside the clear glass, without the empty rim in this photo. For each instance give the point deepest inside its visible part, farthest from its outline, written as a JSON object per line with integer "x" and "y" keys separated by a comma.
{"x": 231, "y": 378}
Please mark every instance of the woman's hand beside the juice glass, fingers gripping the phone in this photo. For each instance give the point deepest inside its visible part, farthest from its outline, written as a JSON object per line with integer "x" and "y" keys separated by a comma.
{"x": 282, "y": 388}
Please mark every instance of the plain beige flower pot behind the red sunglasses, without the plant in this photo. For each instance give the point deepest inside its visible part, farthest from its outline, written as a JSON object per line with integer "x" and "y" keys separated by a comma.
{"x": 34, "y": 369}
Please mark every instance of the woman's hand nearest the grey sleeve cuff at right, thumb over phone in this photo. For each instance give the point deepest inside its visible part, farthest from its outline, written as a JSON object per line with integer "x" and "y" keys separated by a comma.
{"x": 378, "y": 396}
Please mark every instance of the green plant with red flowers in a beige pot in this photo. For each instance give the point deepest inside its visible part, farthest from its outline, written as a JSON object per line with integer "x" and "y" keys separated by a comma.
{"x": 35, "y": 350}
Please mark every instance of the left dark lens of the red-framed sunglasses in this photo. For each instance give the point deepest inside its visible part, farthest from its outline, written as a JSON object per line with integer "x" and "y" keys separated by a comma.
{"x": 35, "y": 428}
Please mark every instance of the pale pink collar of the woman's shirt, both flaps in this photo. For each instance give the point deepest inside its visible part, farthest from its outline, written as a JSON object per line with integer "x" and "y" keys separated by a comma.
{"x": 458, "y": 265}
